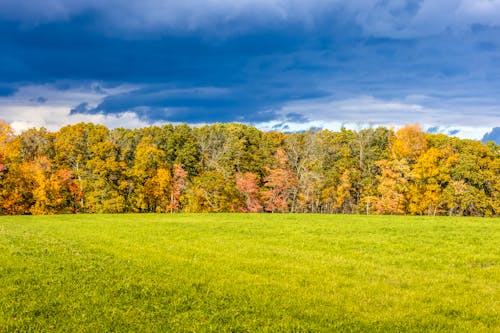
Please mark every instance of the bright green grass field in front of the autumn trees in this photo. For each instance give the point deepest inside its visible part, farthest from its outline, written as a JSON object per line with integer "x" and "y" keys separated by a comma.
{"x": 237, "y": 272}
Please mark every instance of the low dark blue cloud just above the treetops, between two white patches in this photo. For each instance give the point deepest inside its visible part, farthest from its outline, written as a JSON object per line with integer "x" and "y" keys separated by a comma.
{"x": 202, "y": 104}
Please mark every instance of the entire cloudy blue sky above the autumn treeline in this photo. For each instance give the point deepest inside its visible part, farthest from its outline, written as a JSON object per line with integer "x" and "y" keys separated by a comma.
{"x": 286, "y": 65}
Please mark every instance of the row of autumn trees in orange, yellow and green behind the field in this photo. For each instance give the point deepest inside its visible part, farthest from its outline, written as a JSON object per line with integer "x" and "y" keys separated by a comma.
{"x": 88, "y": 168}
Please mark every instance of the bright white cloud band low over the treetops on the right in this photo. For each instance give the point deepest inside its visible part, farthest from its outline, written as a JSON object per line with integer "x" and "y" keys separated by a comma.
{"x": 466, "y": 121}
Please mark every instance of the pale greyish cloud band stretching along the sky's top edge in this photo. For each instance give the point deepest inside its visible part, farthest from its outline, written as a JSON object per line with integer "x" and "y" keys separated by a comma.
{"x": 389, "y": 18}
